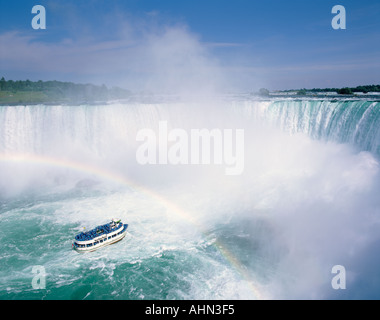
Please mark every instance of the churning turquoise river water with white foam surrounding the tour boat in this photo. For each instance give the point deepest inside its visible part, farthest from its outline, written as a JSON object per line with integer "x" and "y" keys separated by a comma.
{"x": 153, "y": 261}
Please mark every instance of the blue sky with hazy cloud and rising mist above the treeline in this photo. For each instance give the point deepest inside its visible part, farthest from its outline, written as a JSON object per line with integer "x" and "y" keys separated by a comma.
{"x": 197, "y": 45}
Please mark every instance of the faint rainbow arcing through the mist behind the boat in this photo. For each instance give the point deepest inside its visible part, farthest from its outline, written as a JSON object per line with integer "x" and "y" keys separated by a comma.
{"x": 18, "y": 158}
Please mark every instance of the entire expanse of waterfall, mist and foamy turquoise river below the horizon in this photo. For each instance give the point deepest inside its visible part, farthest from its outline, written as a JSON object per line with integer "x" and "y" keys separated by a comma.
{"x": 306, "y": 201}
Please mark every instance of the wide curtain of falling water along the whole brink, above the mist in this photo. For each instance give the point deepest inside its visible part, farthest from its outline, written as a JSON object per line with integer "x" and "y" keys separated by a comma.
{"x": 100, "y": 129}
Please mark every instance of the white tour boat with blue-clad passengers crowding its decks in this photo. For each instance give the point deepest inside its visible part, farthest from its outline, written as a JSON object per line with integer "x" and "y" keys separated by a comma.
{"x": 100, "y": 236}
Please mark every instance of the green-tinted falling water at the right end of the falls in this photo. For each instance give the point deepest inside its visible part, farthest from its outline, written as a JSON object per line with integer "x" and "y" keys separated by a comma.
{"x": 345, "y": 121}
